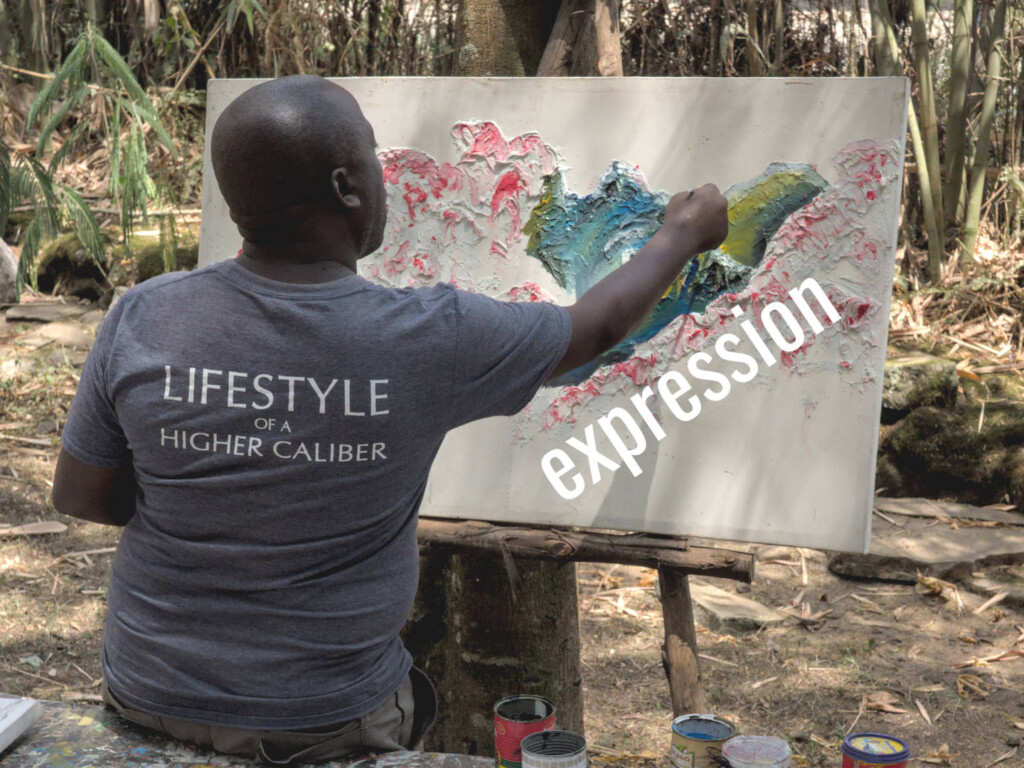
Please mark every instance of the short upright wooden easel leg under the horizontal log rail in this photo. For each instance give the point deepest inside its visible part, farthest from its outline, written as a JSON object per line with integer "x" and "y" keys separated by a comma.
{"x": 679, "y": 654}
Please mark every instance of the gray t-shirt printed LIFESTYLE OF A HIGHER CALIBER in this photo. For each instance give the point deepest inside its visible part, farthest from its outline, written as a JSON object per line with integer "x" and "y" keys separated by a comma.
{"x": 282, "y": 436}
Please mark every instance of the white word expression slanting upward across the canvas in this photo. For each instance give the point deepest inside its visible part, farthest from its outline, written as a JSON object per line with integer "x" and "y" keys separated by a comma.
{"x": 671, "y": 388}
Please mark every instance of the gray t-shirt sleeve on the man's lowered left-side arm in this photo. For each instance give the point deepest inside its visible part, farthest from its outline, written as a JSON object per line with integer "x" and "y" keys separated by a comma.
{"x": 93, "y": 434}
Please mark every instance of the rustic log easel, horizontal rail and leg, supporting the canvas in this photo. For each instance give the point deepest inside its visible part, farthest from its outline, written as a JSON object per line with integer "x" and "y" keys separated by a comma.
{"x": 674, "y": 559}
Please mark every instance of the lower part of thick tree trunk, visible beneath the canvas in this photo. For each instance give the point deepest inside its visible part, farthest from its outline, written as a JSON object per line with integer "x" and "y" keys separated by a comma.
{"x": 481, "y": 641}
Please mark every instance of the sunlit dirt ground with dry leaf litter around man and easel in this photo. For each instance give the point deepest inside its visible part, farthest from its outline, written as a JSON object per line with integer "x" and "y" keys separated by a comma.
{"x": 864, "y": 656}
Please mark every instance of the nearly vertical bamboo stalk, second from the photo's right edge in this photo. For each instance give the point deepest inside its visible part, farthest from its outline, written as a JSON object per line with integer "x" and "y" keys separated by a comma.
{"x": 960, "y": 74}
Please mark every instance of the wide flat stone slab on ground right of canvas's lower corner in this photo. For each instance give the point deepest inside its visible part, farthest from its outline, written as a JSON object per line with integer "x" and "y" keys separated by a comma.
{"x": 931, "y": 547}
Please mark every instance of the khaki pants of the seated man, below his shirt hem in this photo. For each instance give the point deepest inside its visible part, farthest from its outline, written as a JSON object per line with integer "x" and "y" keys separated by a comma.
{"x": 399, "y": 724}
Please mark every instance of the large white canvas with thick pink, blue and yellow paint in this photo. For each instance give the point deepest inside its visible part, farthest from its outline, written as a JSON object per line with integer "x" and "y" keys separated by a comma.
{"x": 747, "y": 406}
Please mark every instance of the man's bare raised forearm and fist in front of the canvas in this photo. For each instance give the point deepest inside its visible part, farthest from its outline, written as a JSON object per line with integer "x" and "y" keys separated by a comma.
{"x": 695, "y": 223}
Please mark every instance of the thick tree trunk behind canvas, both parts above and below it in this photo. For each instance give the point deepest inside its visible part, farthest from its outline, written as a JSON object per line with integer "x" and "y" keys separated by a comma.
{"x": 485, "y": 628}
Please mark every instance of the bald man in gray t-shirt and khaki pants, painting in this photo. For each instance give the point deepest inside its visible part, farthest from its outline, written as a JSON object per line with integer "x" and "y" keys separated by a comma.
{"x": 264, "y": 430}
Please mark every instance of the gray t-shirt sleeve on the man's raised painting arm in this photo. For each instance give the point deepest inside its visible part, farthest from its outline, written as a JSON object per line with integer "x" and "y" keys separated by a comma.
{"x": 504, "y": 354}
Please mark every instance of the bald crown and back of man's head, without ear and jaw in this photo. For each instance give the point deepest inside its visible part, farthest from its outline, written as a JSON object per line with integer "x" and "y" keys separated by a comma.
{"x": 276, "y": 147}
